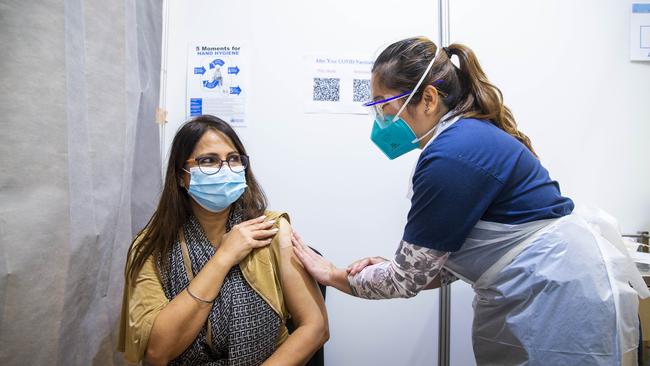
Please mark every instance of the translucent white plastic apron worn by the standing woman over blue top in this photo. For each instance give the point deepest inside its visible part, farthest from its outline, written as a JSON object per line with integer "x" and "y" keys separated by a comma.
{"x": 551, "y": 292}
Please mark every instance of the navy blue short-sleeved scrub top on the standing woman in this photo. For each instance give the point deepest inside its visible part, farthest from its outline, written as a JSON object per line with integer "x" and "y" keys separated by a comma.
{"x": 476, "y": 171}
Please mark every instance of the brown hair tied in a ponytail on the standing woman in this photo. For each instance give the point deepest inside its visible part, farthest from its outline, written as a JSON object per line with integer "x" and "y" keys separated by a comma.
{"x": 469, "y": 92}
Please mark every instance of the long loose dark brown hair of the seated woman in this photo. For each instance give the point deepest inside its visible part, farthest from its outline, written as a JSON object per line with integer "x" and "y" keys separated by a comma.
{"x": 174, "y": 208}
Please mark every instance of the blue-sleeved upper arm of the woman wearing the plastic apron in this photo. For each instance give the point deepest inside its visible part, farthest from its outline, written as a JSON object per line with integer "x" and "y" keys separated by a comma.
{"x": 450, "y": 195}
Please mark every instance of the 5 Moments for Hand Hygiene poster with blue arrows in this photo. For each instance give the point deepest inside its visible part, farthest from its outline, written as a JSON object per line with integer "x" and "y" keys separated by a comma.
{"x": 216, "y": 75}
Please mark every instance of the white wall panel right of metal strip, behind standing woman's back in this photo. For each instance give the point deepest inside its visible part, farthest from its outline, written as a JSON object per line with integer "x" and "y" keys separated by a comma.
{"x": 564, "y": 68}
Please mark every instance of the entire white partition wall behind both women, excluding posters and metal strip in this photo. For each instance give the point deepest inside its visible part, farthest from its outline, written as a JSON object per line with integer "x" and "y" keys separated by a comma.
{"x": 562, "y": 66}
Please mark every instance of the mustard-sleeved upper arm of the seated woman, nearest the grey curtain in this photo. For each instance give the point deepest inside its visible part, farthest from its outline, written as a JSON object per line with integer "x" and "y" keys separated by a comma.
{"x": 144, "y": 301}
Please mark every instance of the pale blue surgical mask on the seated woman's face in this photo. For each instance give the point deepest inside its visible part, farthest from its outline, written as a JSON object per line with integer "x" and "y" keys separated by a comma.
{"x": 216, "y": 192}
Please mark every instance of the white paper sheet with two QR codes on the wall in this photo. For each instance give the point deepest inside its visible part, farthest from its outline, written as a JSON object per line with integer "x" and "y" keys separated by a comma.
{"x": 336, "y": 84}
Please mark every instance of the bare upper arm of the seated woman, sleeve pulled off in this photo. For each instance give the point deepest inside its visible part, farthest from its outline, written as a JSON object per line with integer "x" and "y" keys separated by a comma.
{"x": 301, "y": 293}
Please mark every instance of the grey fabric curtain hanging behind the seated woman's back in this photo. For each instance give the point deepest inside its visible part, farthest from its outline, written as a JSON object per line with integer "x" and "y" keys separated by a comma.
{"x": 80, "y": 158}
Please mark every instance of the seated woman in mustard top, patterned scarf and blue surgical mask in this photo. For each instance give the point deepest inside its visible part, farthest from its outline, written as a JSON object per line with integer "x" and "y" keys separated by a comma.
{"x": 212, "y": 278}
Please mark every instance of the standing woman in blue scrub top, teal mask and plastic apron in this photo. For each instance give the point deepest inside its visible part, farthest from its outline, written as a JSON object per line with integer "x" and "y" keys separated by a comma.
{"x": 553, "y": 286}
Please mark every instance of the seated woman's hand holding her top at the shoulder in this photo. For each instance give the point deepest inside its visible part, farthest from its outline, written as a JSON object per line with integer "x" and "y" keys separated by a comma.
{"x": 244, "y": 237}
